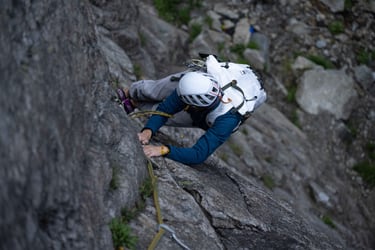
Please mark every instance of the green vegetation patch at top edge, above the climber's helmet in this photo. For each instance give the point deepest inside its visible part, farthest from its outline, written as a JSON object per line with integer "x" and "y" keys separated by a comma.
{"x": 176, "y": 11}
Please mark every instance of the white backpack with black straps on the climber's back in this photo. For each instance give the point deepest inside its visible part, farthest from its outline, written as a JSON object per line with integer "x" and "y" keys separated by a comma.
{"x": 243, "y": 90}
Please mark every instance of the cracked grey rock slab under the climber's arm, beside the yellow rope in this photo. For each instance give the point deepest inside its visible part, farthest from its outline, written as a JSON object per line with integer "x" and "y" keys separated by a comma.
{"x": 213, "y": 207}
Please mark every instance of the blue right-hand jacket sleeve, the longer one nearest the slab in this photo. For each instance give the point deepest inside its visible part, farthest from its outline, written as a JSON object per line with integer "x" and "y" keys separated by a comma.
{"x": 207, "y": 143}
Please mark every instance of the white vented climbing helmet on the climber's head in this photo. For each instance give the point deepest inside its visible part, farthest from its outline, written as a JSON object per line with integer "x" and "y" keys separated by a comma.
{"x": 198, "y": 89}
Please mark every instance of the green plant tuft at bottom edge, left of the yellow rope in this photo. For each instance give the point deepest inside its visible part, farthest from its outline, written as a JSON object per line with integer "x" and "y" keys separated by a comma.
{"x": 121, "y": 234}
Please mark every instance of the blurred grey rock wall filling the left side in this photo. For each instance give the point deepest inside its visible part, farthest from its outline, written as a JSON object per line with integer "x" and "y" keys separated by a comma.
{"x": 61, "y": 137}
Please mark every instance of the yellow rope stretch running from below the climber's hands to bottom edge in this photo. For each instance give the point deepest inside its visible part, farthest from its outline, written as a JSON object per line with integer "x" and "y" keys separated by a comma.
{"x": 161, "y": 231}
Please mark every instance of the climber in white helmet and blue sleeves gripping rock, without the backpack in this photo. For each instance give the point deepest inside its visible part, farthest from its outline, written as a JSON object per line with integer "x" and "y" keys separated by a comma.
{"x": 195, "y": 99}
